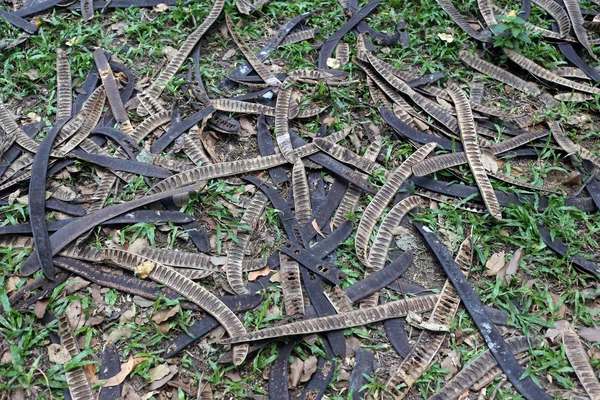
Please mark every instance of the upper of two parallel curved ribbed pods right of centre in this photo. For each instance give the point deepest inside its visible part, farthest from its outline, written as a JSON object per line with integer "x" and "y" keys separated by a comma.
{"x": 383, "y": 197}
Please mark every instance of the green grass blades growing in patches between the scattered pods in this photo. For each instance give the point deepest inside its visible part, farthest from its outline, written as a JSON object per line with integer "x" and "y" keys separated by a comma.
{"x": 146, "y": 35}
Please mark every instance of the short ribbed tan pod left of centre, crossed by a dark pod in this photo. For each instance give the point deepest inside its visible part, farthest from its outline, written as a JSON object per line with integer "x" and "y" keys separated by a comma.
{"x": 235, "y": 254}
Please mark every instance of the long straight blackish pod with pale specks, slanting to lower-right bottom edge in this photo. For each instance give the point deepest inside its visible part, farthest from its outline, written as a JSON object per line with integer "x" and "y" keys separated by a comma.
{"x": 492, "y": 336}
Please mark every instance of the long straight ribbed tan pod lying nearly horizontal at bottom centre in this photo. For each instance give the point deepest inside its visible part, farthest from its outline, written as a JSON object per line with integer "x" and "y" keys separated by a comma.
{"x": 393, "y": 309}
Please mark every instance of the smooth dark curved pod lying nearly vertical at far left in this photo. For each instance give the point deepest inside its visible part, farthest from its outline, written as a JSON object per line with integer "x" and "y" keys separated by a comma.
{"x": 37, "y": 201}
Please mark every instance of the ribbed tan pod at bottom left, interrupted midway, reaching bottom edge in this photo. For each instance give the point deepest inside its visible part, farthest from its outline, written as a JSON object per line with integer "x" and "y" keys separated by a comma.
{"x": 79, "y": 386}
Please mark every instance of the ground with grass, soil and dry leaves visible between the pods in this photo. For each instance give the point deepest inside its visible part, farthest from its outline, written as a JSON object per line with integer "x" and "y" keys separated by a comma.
{"x": 546, "y": 287}
